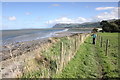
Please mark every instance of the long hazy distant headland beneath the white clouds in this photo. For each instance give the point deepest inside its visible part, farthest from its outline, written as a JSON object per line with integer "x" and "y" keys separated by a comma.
{"x": 76, "y": 25}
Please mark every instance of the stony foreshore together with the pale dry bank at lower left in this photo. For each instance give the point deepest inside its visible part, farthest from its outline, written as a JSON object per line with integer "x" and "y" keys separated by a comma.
{"x": 25, "y": 51}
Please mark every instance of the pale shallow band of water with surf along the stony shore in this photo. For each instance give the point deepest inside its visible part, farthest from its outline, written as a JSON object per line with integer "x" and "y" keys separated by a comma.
{"x": 34, "y": 36}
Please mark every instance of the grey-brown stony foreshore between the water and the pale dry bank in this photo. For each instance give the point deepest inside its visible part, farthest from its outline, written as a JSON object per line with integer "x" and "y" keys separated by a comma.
{"x": 19, "y": 48}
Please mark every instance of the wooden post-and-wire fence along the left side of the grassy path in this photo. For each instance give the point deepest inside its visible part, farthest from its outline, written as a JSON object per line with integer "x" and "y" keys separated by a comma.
{"x": 68, "y": 51}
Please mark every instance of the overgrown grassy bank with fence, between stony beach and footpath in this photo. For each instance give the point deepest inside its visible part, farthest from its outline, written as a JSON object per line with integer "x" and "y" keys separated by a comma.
{"x": 51, "y": 61}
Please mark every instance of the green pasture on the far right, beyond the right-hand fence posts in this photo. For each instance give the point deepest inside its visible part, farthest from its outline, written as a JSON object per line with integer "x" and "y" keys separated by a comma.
{"x": 109, "y": 62}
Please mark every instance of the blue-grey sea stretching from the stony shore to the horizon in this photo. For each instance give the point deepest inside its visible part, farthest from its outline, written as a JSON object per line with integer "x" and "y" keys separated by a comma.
{"x": 13, "y": 36}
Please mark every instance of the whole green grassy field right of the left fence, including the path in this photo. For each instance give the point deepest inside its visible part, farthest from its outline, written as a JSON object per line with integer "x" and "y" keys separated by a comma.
{"x": 91, "y": 60}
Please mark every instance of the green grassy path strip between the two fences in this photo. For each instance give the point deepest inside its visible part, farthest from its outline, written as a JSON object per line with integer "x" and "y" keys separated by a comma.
{"x": 83, "y": 65}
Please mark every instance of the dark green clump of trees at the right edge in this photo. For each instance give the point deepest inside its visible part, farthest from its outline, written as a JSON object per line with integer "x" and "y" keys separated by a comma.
{"x": 110, "y": 26}
